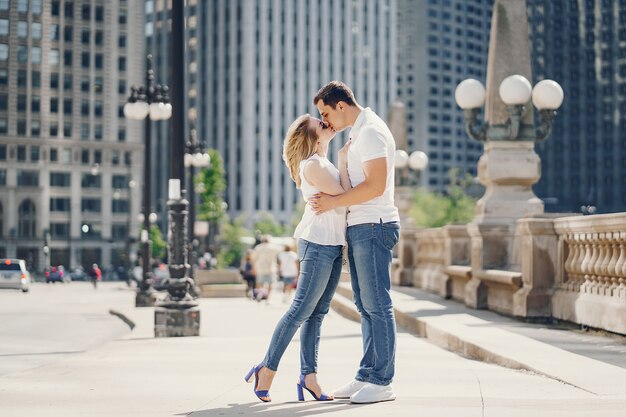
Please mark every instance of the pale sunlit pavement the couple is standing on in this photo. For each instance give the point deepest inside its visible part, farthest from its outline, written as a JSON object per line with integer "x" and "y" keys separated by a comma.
{"x": 138, "y": 375}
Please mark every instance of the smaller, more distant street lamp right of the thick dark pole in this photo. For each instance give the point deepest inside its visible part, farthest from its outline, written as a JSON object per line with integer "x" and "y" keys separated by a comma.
{"x": 195, "y": 157}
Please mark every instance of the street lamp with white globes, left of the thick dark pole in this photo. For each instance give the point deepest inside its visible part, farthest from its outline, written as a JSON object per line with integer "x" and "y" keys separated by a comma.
{"x": 147, "y": 102}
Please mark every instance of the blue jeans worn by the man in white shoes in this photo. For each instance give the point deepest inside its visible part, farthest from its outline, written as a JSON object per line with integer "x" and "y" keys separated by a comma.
{"x": 369, "y": 253}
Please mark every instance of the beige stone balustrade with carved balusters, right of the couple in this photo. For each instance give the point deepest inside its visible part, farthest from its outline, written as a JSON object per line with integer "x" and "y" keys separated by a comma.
{"x": 569, "y": 268}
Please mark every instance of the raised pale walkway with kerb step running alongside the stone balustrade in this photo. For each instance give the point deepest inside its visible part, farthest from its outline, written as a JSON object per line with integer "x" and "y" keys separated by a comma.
{"x": 592, "y": 362}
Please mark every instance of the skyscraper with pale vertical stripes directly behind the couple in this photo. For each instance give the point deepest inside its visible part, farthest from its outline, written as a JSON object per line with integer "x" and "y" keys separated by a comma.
{"x": 254, "y": 66}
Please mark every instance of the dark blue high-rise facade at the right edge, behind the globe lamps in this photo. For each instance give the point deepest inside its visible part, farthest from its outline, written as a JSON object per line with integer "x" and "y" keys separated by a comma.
{"x": 581, "y": 44}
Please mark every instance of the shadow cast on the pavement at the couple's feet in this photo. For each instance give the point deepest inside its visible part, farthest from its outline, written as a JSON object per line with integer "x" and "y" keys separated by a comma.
{"x": 285, "y": 409}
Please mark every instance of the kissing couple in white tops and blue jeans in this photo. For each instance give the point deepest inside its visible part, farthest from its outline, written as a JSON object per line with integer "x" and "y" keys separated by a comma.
{"x": 362, "y": 185}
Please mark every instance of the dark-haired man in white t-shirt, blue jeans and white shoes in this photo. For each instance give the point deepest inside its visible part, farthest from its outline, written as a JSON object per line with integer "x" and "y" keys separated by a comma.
{"x": 373, "y": 230}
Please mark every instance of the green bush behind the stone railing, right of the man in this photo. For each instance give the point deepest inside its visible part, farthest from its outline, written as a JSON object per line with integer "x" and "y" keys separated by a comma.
{"x": 455, "y": 206}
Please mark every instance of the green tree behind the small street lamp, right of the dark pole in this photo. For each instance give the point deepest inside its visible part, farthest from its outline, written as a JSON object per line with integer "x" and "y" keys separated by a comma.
{"x": 211, "y": 182}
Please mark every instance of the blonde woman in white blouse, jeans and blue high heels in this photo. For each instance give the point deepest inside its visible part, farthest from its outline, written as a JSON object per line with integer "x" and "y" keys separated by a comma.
{"x": 320, "y": 241}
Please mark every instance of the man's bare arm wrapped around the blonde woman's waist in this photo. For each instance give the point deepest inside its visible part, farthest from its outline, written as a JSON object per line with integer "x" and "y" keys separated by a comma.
{"x": 373, "y": 186}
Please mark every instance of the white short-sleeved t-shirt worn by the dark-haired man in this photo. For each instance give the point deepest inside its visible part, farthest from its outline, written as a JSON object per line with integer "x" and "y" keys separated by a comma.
{"x": 372, "y": 139}
